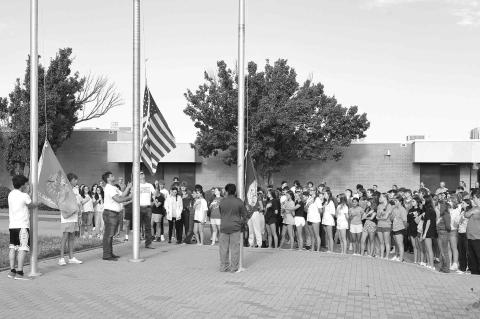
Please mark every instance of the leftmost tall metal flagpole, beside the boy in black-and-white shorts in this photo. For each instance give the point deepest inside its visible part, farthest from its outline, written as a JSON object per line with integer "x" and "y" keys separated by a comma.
{"x": 34, "y": 133}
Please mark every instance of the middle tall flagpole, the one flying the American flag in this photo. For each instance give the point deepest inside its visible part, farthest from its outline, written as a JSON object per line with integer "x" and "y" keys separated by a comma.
{"x": 136, "y": 133}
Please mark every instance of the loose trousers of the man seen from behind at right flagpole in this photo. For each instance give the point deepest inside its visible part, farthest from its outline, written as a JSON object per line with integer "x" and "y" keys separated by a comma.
{"x": 229, "y": 248}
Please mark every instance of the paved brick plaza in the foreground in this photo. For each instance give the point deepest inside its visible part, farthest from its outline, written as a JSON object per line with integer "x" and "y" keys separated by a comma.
{"x": 183, "y": 281}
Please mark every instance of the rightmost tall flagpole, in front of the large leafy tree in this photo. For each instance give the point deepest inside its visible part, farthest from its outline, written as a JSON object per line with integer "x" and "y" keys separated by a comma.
{"x": 241, "y": 113}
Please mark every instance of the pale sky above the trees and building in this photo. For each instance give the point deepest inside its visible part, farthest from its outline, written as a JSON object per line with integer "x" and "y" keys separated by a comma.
{"x": 412, "y": 65}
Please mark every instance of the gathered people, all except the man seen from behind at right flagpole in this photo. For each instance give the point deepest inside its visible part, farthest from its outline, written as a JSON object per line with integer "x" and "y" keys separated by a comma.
{"x": 438, "y": 227}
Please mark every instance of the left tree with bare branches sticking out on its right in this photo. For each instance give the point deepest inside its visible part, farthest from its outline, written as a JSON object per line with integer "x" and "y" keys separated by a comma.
{"x": 69, "y": 99}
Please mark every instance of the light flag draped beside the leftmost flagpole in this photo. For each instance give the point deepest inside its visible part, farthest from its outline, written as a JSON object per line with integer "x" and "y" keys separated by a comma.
{"x": 54, "y": 189}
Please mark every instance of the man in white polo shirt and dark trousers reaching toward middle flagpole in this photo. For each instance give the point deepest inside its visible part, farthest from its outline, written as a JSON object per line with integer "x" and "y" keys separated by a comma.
{"x": 113, "y": 197}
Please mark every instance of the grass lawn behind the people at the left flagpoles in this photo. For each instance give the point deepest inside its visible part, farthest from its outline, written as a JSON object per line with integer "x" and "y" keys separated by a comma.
{"x": 49, "y": 246}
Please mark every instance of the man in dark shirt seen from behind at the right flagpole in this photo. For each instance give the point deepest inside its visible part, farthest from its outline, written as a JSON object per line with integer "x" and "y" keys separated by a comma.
{"x": 232, "y": 215}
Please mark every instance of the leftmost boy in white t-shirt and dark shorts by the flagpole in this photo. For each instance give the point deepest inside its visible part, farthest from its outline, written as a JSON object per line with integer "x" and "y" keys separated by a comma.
{"x": 19, "y": 225}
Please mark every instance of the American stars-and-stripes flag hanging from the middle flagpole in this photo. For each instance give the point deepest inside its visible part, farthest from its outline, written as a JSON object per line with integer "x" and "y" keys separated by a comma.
{"x": 157, "y": 140}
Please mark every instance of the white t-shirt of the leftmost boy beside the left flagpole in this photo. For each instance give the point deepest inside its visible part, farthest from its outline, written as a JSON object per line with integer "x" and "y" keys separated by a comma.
{"x": 18, "y": 214}
